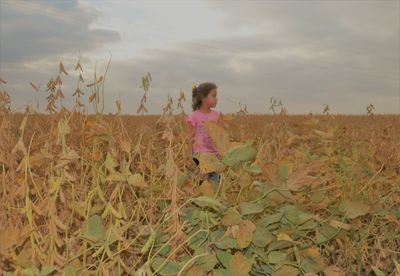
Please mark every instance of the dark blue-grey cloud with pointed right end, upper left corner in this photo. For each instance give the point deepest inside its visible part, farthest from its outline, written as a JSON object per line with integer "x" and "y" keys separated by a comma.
{"x": 31, "y": 30}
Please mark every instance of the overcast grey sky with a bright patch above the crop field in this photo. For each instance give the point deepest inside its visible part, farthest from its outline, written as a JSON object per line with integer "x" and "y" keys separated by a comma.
{"x": 305, "y": 53}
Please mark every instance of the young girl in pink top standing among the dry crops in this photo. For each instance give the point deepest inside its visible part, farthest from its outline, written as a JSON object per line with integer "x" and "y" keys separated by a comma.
{"x": 204, "y": 97}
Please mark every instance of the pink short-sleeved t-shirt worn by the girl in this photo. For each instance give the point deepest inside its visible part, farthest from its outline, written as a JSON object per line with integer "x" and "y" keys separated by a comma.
{"x": 202, "y": 141}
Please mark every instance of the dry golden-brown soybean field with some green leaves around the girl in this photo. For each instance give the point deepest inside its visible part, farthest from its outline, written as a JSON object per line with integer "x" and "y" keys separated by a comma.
{"x": 119, "y": 195}
